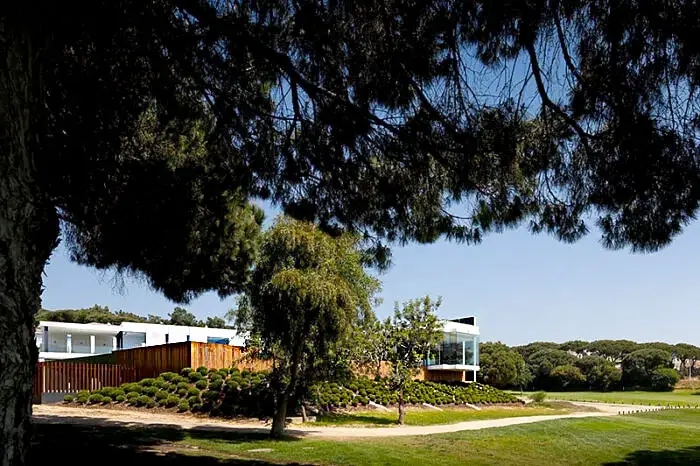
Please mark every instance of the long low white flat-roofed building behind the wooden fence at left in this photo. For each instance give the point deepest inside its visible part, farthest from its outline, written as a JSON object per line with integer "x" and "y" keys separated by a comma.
{"x": 62, "y": 340}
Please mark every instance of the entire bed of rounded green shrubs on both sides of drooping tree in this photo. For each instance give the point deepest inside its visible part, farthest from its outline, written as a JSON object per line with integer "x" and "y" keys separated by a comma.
{"x": 244, "y": 393}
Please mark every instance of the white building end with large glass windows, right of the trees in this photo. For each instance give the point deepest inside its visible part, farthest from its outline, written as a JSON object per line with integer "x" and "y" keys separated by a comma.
{"x": 457, "y": 356}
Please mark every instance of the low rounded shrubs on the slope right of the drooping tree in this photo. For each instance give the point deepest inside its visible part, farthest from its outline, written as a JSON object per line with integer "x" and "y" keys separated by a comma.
{"x": 363, "y": 390}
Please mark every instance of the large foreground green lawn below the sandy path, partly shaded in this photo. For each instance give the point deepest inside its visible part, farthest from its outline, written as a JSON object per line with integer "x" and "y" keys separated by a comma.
{"x": 666, "y": 437}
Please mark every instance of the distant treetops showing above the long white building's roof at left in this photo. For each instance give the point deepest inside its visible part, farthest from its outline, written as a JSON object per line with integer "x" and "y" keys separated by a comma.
{"x": 103, "y": 315}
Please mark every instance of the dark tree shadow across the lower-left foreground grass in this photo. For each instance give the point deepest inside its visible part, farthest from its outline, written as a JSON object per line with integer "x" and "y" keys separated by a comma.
{"x": 81, "y": 441}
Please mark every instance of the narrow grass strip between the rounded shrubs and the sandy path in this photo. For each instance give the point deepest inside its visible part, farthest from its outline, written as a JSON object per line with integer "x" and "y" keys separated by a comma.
{"x": 424, "y": 417}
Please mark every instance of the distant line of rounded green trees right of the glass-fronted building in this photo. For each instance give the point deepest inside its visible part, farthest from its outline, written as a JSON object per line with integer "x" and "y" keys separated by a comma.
{"x": 580, "y": 365}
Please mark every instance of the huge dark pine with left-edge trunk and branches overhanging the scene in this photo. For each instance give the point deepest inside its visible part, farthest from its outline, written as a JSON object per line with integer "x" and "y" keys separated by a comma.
{"x": 382, "y": 133}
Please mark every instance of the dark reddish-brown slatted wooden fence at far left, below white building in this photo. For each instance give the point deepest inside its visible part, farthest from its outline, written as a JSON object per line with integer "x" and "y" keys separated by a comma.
{"x": 70, "y": 377}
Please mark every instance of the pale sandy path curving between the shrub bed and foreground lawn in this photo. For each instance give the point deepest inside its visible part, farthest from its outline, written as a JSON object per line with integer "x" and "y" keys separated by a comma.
{"x": 58, "y": 414}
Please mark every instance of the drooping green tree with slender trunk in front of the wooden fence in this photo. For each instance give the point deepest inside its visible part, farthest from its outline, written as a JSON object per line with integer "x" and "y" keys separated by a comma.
{"x": 307, "y": 292}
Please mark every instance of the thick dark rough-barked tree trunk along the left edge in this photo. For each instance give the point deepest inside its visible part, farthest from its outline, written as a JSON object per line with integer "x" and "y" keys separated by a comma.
{"x": 28, "y": 232}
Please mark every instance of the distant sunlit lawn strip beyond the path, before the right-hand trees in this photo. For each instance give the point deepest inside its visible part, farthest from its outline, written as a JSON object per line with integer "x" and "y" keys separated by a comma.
{"x": 675, "y": 398}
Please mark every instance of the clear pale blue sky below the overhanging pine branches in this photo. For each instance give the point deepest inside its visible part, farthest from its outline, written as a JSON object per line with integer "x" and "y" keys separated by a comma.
{"x": 521, "y": 287}
